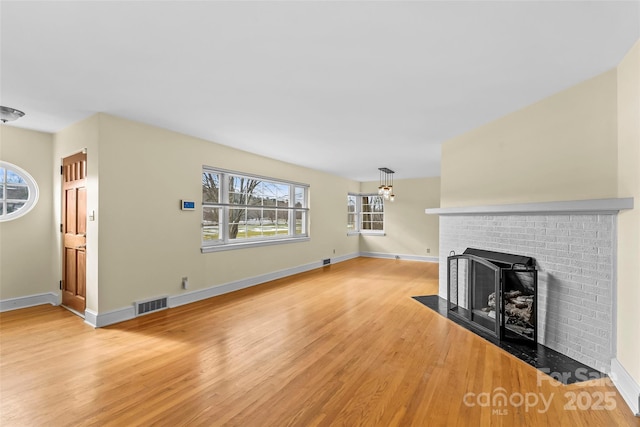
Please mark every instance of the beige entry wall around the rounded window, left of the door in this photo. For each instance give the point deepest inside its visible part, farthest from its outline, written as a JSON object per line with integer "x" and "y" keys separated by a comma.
{"x": 26, "y": 259}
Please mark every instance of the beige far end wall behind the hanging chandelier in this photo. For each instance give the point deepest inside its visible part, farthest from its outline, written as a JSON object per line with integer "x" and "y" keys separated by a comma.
{"x": 408, "y": 231}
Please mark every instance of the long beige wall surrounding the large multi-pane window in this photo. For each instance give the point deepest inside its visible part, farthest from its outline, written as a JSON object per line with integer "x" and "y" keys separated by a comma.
{"x": 147, "y": 244}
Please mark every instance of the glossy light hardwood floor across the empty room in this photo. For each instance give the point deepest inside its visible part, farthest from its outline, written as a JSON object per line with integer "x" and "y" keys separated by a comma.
{"x": 341, "y": 345}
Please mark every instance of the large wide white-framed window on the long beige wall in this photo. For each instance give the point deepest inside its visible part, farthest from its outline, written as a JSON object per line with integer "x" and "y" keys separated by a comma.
{"x": 240, "y": 210}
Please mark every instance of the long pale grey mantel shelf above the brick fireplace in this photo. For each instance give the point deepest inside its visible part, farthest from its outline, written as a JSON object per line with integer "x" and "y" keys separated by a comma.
{"x": 593, "y": 206}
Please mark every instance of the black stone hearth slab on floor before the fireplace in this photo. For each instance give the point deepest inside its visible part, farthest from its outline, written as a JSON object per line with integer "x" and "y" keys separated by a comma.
{"x": 559, "y": 366}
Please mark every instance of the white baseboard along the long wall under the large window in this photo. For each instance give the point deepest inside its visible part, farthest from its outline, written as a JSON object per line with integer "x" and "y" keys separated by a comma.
{"x": 98, "y": 320}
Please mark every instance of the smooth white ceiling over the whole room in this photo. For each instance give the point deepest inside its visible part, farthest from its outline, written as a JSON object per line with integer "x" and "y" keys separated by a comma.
{"x": 340, "y": 86}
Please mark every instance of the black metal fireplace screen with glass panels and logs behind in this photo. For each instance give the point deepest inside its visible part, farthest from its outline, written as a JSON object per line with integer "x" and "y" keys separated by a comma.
{"x": 494, "y": 293}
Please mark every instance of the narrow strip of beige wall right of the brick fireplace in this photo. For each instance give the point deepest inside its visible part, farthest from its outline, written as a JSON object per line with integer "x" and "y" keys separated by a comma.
{"x": 628, "y": 300}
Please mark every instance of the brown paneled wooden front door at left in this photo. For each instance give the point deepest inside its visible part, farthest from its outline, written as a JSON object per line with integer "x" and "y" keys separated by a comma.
{"x": 74, "y": 228}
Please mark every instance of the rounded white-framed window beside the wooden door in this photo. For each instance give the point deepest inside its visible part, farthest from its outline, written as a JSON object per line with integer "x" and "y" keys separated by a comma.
{"x": 18, "y": 191}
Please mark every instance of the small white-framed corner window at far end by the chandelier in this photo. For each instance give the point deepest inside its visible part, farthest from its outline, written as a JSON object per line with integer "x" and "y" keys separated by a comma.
{"x": 365, "y": 214}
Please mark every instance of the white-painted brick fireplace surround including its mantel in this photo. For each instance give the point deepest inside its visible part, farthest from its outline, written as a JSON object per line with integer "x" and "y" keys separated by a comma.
{"x": 574, "y": 244}
